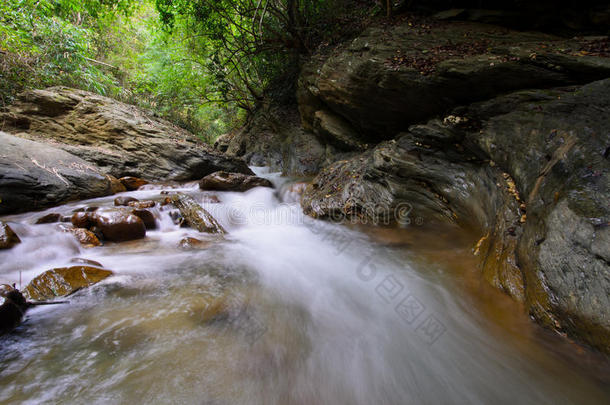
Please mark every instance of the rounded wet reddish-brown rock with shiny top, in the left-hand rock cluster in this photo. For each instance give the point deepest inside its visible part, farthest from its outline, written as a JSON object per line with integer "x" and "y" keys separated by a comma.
{"x": 119, "y": 225}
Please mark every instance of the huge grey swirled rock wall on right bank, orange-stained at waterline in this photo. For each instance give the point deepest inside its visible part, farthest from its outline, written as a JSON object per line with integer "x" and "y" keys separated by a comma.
{"x": 530, "y": 170}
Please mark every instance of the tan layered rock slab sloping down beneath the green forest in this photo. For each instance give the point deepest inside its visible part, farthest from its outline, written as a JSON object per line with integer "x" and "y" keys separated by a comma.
{"x": 122, "y": 140}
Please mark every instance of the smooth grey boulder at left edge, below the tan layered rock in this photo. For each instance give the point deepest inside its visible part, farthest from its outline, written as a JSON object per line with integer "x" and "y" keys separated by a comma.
{"x": 35, "y": 175}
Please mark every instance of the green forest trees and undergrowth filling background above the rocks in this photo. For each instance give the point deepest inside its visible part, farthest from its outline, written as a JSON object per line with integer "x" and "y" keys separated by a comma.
{"x": 202, "y": 64}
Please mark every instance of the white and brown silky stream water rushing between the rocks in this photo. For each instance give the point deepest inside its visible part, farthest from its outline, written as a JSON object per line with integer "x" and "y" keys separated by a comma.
{"x": 283, "y": 310}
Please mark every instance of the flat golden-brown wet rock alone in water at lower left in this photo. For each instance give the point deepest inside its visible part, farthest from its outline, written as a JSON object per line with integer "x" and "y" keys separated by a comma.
{"x": 64, "y": 281}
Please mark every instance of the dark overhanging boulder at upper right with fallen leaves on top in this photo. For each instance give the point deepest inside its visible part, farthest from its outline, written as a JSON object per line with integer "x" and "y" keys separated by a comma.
{"x": 394, "y": 76}
